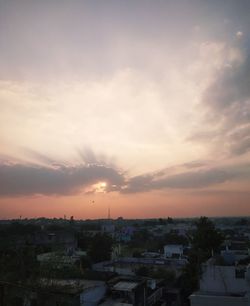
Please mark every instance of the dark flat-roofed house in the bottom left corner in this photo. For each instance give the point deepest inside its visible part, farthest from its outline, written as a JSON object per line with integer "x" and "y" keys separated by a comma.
{"x": 49, "y": 292}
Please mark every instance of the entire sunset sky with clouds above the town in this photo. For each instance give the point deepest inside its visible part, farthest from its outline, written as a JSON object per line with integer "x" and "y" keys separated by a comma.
{"x": 139, "y": 106}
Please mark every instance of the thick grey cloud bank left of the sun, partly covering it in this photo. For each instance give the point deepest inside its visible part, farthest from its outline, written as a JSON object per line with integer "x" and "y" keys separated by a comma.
{"x": 18, "y": 180}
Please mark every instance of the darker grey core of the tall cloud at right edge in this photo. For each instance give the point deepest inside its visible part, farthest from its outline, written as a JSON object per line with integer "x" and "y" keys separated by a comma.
{"x": 229, "y": 99}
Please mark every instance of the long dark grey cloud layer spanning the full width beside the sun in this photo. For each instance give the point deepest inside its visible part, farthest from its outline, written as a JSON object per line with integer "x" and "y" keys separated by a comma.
{"x": 19, "y": 180}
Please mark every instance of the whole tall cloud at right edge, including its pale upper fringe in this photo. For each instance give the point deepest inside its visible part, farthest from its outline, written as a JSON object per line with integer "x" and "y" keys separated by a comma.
{"x": 225, "y": 99}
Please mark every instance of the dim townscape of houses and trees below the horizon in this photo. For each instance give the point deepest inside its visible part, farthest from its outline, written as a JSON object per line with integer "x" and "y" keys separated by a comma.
{"x": 172, "y": 262}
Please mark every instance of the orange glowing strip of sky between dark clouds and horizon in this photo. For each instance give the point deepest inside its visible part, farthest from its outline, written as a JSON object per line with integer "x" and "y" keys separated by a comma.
{"x": 96, "y": 206}
